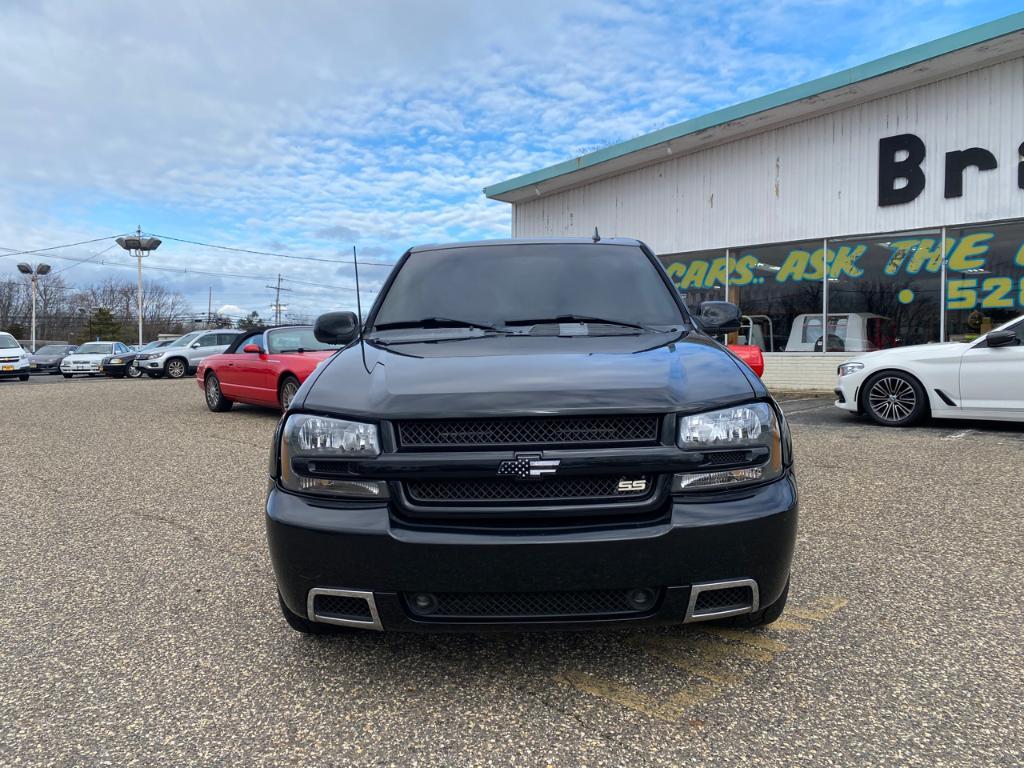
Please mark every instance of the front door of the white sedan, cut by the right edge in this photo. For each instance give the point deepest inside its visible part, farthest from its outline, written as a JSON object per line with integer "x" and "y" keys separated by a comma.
{"x": 991, "y": 379}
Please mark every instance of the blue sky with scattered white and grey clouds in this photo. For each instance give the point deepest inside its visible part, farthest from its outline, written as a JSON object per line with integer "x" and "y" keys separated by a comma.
{"x": 303, "y": 130}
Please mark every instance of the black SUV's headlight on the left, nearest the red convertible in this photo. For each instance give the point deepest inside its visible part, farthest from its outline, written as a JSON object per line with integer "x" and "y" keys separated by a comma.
{"x": 311, "y": 445}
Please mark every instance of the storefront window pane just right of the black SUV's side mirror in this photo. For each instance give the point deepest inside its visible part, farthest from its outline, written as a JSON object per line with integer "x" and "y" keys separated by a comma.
{"x": 779, "y": 291}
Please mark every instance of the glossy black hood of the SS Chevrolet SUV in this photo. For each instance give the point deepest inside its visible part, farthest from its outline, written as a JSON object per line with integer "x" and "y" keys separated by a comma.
{"x": 529, "y": 375}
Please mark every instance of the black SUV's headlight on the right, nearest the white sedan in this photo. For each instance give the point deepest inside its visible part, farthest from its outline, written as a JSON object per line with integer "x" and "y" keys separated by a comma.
{"x": 752, "y": 433}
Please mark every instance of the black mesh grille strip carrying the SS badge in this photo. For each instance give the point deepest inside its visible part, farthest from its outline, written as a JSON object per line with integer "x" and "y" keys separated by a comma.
{"x": 503, "y": 490}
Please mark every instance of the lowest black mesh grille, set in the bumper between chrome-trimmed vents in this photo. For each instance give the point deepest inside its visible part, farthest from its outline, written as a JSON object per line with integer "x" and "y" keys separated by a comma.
{"x": 529, "y": 606}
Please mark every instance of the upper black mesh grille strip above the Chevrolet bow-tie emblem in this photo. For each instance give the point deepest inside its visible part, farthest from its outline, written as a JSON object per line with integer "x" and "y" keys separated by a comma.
{"x": 526, "y": 433}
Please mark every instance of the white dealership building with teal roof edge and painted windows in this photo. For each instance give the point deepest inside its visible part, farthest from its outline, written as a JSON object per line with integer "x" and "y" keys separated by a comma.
{"x": 878, "y": 207}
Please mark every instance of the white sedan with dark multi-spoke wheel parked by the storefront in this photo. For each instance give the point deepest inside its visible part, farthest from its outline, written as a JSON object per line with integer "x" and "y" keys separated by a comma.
{"x": 983, "y": 379}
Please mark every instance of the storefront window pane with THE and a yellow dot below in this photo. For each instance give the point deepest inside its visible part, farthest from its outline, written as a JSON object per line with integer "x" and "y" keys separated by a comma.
{"x": 884, "y": 292}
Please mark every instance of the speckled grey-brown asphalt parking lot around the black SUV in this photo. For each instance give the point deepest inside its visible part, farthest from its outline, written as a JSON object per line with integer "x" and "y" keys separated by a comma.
{"x": 140, "y": 624}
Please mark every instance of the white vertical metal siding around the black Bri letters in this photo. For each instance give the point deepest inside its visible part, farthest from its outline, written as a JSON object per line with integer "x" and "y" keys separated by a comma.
{"x": 812, "y": 180}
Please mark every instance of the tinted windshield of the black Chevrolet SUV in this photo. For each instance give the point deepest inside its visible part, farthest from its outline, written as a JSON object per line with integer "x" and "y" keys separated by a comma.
{"x": 530, "y": 283}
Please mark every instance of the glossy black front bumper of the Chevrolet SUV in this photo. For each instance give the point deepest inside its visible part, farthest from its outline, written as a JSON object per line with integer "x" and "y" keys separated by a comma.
{"x": 363, "y": 547}
